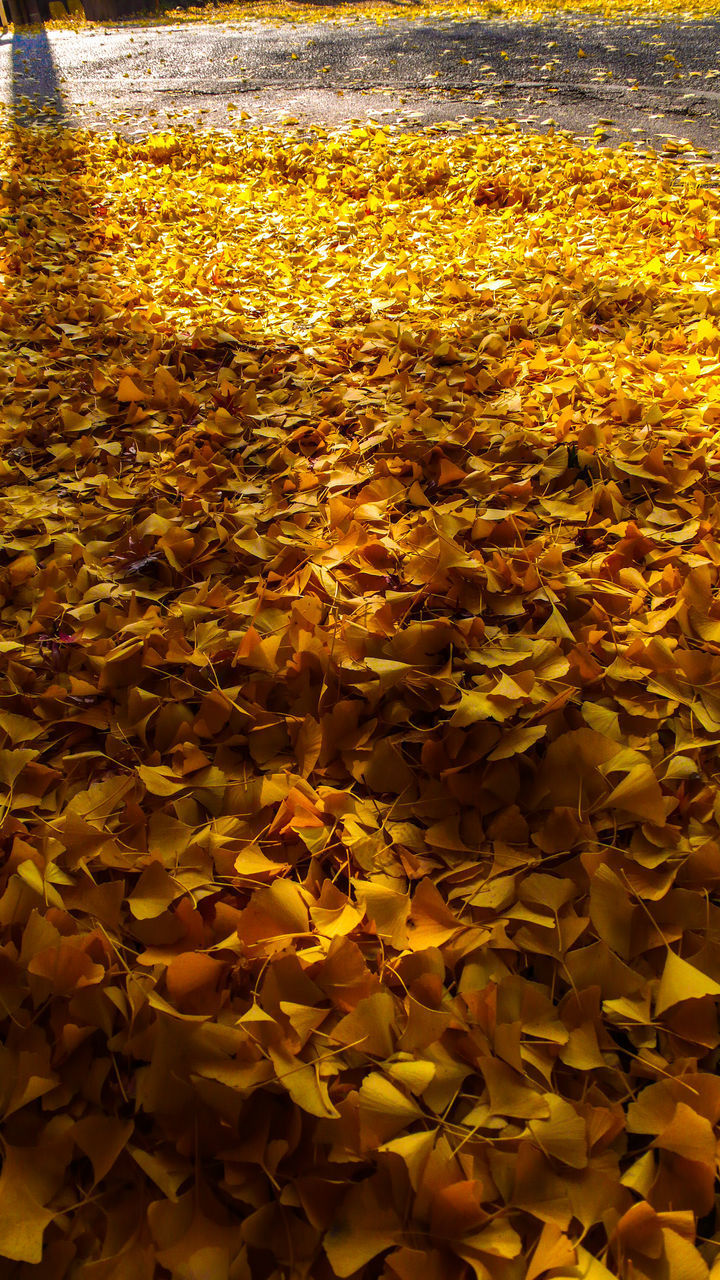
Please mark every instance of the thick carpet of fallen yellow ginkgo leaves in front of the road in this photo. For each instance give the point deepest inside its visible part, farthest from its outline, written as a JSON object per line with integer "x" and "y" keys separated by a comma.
{"x": 361, "y": 707}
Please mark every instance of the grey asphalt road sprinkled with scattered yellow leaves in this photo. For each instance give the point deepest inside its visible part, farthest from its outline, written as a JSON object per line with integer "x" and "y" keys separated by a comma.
{"x": 654, "y": 83}
